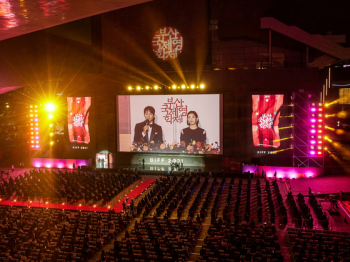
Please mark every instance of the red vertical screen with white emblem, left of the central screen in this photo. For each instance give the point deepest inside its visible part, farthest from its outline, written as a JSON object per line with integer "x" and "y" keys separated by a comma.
{"x": 78, "y": 119}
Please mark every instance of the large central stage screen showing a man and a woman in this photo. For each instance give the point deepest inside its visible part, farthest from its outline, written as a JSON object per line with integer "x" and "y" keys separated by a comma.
{"x": 187, "y": 124}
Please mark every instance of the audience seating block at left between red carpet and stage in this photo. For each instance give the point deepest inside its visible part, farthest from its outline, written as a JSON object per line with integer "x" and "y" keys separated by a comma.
{"x": 90, "y": 186}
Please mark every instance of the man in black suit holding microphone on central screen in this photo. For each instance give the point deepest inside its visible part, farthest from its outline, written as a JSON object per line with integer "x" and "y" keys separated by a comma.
{"x": 148, "y": 131}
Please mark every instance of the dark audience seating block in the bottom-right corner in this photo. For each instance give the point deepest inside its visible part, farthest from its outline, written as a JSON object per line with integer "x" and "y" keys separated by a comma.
{"x": 318, "y": 245}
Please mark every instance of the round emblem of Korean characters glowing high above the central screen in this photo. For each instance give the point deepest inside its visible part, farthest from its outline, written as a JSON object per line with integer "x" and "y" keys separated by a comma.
{"x": 167, "y": 43}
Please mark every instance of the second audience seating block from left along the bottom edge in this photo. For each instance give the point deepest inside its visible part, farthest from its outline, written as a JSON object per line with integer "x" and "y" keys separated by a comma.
{"x": 156, "y": 239}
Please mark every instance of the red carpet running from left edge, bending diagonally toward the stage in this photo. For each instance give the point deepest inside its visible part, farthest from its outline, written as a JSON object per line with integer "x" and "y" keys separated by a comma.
{"x": 118, "y": 208}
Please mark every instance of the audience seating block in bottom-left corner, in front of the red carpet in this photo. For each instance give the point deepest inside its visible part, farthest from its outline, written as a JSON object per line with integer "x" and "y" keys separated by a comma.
{"x": 40, "y": 234}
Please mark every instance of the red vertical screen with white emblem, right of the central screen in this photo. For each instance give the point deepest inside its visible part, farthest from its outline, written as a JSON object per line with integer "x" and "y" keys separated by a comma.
{"x": 271, "y": 124}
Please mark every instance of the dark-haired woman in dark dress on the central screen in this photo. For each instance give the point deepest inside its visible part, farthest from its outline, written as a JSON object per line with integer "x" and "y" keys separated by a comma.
{"x": 193, "y": 132}
